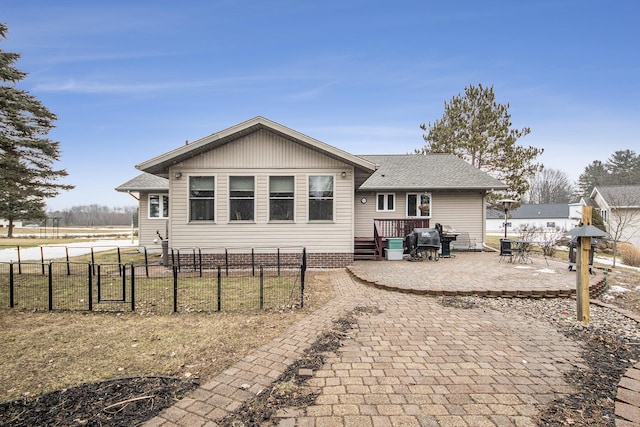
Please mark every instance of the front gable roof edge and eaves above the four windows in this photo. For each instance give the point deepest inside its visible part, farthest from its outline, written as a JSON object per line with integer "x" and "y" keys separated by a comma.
{"x": 160, "y": 165}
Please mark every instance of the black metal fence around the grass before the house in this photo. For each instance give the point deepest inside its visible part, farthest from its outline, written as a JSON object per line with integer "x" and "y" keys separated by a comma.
{"x": 151, "y": 288}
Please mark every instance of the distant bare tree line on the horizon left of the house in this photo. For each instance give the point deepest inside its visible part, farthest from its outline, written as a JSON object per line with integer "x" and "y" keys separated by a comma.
{"x": 95, "y": 216}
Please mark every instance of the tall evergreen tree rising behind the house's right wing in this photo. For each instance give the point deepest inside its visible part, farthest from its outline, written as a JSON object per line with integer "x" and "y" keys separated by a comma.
{"x": 478, "y": 129}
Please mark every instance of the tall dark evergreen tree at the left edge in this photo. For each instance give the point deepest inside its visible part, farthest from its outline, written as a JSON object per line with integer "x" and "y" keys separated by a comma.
{"x": 27, "y": 176}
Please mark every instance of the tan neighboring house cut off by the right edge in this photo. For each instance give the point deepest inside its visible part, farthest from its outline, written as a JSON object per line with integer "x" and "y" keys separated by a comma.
{"x": 619, "y": 207}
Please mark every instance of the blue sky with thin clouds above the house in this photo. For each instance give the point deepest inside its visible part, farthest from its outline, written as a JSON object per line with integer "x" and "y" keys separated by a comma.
{"x": 130, "y": 80}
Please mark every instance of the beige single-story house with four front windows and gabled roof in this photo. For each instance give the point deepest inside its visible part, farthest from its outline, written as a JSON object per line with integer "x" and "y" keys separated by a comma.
{"x": 260, "y": 184}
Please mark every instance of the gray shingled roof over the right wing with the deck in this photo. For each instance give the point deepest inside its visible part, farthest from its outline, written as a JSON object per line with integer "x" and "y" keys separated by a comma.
{"x": 427, "y": 172}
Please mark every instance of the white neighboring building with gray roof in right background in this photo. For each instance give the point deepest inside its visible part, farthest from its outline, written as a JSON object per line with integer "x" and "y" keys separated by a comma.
{"x": 562, "y": 216}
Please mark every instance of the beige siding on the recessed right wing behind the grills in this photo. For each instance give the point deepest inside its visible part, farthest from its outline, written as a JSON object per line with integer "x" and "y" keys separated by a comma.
{"x": 456, "y": 209}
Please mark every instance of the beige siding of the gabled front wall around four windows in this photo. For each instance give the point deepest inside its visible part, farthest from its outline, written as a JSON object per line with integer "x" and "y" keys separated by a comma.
{"x": 263, "y": 154}
